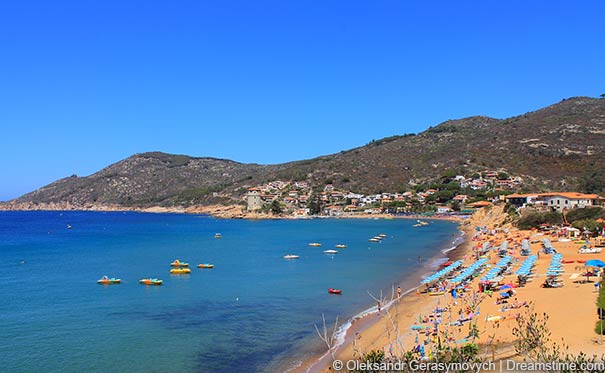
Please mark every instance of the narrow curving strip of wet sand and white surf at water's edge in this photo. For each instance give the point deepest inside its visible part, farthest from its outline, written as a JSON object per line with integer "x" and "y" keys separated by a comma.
{"x": 370, "y": 317}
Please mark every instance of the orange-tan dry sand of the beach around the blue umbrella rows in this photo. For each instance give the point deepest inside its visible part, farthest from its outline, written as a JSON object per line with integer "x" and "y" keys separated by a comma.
{"x": 571, "y": 309}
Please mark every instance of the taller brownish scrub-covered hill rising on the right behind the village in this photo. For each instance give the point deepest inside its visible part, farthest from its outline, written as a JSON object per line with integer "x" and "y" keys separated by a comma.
{"x": 562, "y": 141}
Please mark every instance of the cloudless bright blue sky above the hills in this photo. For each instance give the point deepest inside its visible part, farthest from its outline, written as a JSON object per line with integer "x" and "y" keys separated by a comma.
{"x": 86, "y": 83}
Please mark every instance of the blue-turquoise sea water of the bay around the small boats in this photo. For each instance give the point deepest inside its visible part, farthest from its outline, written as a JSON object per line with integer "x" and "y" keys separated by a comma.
{"x": 254, "y": 311}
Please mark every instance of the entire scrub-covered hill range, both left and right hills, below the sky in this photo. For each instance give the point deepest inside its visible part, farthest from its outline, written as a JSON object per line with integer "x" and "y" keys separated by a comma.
{"x": 558, "y": 146}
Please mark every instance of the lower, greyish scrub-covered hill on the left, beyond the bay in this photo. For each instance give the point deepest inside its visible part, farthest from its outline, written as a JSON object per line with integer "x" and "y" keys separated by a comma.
{"x": 150, "y": 179}
